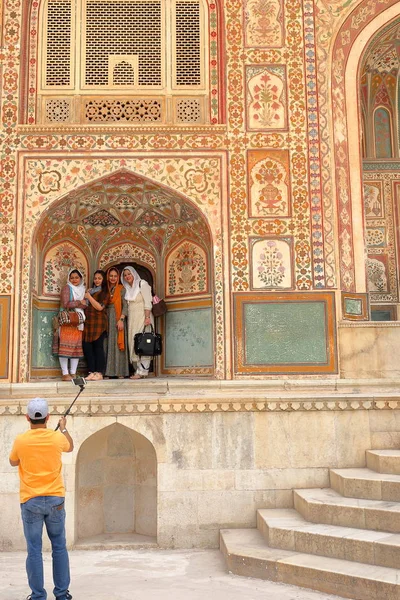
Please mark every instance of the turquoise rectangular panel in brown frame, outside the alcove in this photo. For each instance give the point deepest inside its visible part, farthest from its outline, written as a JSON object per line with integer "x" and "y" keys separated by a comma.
{"x": 285, "y": 333}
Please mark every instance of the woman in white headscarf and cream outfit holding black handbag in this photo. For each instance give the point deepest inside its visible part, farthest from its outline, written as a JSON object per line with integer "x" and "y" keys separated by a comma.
{"x": 138, "y": 295}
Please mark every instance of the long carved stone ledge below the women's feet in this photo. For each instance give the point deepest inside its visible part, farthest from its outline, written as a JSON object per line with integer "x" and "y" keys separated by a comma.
{"x": 162, "y": 396}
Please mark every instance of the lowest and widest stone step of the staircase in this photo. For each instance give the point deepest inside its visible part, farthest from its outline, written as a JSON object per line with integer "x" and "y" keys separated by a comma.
{"x": 247, "y": 554}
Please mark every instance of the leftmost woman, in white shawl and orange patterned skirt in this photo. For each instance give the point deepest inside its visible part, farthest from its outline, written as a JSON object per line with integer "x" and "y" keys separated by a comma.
{"x": 70, "y": 343}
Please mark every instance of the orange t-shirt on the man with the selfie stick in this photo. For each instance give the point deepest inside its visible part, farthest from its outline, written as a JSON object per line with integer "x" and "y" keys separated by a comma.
{"x": 39, "y": 454}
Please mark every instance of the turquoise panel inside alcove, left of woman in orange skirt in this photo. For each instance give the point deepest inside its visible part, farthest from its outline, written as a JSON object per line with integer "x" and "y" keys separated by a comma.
{"x": 42, "y": 339}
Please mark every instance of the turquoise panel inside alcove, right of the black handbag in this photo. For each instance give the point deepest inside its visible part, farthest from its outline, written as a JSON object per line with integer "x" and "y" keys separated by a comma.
{"x": 188, "y": 338}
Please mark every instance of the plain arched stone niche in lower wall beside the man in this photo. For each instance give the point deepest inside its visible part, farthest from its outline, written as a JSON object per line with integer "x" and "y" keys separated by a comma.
{"x": 116, "y": 484}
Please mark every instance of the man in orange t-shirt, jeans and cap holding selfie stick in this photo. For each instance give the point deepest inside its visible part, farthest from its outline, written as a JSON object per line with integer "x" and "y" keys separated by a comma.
{"x": 37, "y": 453}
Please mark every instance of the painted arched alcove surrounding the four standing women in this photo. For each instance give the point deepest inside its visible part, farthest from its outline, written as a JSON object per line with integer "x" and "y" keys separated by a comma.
{"x": 125, "y": 218}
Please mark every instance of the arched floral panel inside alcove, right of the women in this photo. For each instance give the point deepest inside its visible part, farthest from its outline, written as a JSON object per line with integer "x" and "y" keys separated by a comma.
{"x": 186, "y": 270}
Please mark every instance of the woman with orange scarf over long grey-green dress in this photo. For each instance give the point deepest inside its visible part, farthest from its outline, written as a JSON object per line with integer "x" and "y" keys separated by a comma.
{"x": 117, "y": 312}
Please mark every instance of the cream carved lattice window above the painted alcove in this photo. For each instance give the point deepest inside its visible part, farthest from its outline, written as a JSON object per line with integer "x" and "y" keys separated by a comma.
{"x": 148, "y": 55}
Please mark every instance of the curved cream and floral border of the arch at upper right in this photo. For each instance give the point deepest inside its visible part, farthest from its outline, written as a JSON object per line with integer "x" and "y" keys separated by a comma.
{"x": 352, "y": 39}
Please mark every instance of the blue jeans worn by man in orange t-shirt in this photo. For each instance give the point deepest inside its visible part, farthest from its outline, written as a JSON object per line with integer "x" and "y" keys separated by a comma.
{"x": 49, "y": 510}
